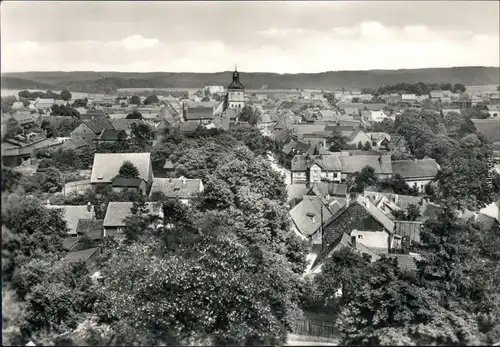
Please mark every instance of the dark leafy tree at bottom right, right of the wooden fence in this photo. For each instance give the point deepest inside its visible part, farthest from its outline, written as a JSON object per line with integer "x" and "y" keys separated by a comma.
{"x": 392, "y": 309}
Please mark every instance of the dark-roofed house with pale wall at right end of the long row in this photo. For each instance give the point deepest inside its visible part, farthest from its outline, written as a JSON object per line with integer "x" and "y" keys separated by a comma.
{"x": 416, "y": 173}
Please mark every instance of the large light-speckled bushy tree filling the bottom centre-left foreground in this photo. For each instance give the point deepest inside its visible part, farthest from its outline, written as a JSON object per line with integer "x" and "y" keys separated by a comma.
{"x": 202, "y": 293}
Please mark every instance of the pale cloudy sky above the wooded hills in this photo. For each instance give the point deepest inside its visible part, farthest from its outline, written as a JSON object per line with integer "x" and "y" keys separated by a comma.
{"x": 283, "y": 37}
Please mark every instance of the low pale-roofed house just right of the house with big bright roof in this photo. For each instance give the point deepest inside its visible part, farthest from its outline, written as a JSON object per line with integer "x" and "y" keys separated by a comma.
{"x": 181, "y": 189}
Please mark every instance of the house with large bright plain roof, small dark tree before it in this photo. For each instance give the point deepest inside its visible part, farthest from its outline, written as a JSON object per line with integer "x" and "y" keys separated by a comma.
{"x": 106, "y": 167}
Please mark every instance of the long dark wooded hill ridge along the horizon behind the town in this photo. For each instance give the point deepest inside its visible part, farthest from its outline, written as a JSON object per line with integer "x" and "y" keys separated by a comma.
{"x": 106, "y": 82}
